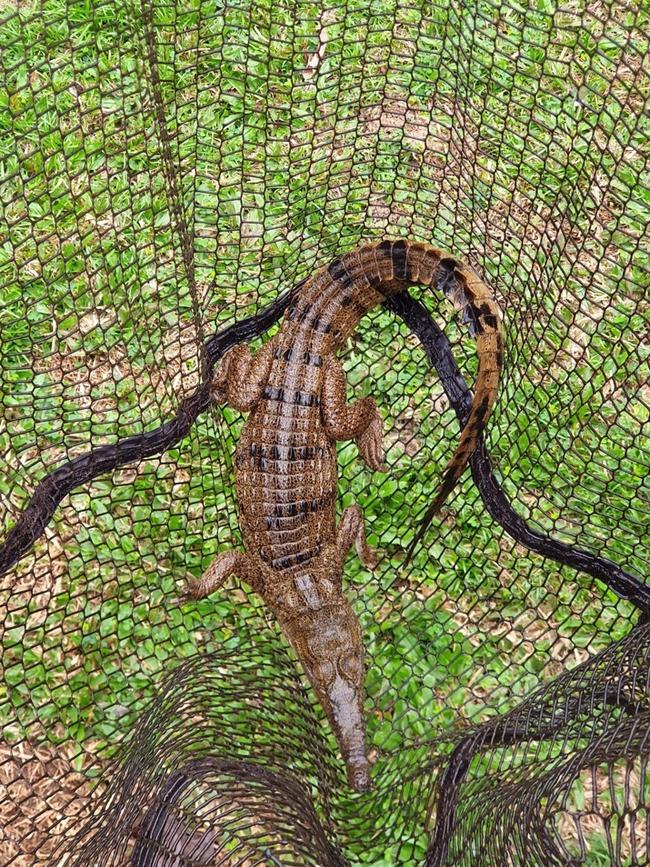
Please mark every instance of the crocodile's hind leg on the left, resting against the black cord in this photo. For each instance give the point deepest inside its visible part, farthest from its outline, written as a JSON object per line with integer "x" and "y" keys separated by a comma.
{"x": 240, "y": 376}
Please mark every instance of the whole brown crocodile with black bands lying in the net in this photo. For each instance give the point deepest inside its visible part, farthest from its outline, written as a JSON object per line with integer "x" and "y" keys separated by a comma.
{"x": 295, "y": 391}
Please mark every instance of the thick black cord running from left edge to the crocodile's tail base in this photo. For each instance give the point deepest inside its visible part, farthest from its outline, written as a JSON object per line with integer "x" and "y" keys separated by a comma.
{"x": 82, "y": 469}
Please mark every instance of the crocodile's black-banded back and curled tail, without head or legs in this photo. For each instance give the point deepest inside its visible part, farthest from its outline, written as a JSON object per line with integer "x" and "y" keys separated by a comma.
{"x": 286, "y": 467}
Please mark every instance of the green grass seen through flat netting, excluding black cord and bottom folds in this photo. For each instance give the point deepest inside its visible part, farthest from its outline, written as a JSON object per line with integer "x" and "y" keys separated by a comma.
{"x": 278, "y": 169}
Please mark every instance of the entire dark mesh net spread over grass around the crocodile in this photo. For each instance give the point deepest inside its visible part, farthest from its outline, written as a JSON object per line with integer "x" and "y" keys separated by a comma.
{"x": 167, "y": 171}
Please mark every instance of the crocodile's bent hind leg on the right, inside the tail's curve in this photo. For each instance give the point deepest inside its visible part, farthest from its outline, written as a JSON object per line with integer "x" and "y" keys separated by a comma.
{"x": 359, "y": 421}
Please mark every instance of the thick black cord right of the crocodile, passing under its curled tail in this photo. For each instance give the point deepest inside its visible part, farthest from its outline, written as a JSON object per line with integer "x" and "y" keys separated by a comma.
{"x": 440, "y": 355}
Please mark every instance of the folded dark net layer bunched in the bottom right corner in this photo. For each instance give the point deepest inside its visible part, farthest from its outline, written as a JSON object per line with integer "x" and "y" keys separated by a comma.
{"x": 561, "y": 779}
